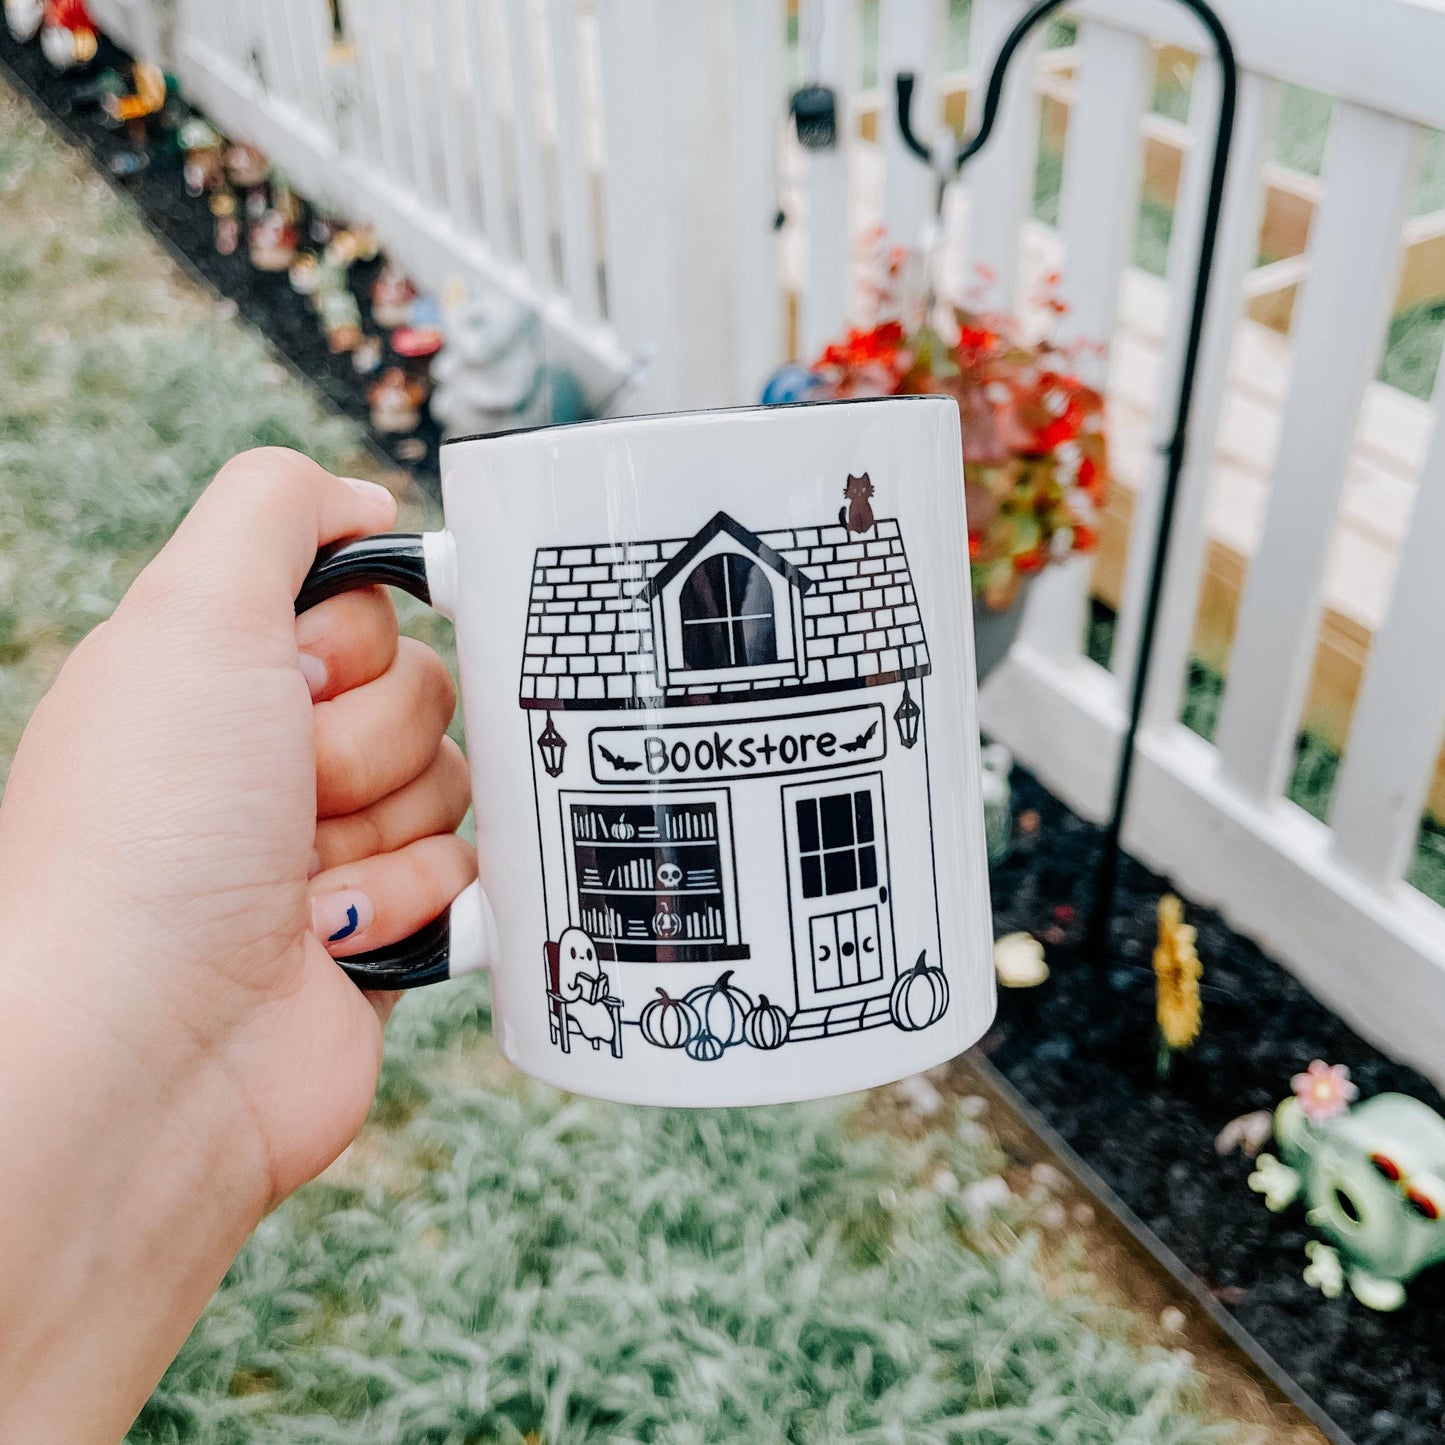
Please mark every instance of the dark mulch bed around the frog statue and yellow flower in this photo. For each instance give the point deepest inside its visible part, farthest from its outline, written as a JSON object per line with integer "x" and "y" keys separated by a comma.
{"x": 1082, "y": 1050}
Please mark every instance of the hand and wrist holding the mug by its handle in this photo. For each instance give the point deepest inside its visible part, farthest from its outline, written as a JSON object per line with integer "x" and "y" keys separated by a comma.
{"x": 178, "y": 1048}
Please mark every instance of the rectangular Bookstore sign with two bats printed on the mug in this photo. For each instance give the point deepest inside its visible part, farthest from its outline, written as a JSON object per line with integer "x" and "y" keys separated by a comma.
{"x": 749, "y": 748}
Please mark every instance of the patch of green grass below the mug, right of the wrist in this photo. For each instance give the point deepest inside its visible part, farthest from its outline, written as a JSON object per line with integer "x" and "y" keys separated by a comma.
{"x": 508, "y": 1265}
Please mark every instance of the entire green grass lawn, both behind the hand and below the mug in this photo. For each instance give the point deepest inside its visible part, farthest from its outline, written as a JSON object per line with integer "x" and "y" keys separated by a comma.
{"x": 493, "y": 1262}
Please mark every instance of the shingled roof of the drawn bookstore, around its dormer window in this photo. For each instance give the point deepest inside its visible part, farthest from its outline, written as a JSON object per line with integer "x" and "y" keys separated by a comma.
{"x": 590, "y": 626}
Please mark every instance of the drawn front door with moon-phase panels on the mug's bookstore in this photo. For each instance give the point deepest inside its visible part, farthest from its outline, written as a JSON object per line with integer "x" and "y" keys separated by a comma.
{"x": 839, "y": 892}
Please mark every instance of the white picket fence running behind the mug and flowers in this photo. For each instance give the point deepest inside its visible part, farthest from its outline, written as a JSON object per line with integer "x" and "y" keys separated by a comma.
{"x": 618, "y": 164}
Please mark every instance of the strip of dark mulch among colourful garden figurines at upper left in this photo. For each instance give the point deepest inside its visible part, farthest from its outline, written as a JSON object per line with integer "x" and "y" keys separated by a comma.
{"x": 187, "y": 226}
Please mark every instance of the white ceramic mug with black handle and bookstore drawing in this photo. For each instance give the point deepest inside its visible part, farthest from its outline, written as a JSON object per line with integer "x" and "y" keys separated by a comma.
{"x": 719, "y": 690}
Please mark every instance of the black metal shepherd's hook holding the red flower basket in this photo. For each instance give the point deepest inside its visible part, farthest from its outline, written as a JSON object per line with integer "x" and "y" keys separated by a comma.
{"x": 1106, "y": 878}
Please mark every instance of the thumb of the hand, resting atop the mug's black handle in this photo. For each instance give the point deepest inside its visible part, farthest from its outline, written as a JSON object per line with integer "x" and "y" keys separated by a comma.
{"x": 249, "y": 541}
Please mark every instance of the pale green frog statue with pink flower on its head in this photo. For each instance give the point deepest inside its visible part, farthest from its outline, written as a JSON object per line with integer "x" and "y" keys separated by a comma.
{"x": 1373, "y": 1181}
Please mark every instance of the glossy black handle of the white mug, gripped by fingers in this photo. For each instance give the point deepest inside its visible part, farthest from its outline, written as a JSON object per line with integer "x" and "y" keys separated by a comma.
{"x": 463, "y": 937}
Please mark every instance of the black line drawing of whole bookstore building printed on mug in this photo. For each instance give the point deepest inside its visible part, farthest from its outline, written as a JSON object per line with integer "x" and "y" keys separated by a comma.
{"x": 755, "y": 868}
